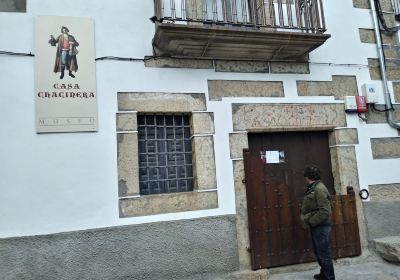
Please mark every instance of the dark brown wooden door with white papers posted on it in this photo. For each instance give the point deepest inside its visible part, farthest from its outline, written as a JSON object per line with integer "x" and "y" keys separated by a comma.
{"x": 275, "y": 187}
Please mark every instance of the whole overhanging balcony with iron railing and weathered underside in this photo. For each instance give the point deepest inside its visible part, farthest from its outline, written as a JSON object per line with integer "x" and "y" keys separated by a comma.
{"x": 238, "y": 29}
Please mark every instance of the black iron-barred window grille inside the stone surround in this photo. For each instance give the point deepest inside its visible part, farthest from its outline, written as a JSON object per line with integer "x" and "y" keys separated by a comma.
{"x": 165, "y": 154}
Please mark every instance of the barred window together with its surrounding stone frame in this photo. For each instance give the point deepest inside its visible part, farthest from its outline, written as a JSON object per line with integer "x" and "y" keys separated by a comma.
{"x": 165, "y": 146}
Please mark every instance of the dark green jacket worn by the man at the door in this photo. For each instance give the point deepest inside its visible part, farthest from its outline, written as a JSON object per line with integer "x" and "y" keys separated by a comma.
{"x": 316, "y": 208}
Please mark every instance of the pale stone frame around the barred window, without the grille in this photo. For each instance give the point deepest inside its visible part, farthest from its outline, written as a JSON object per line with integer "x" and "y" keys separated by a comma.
{"x": 204, "y": 194}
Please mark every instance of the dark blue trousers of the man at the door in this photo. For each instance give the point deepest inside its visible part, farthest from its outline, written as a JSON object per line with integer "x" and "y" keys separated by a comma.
{"x": 320, "y": 238}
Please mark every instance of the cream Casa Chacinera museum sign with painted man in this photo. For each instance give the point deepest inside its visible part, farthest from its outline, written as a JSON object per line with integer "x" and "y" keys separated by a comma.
{"x": 65, "y": 75}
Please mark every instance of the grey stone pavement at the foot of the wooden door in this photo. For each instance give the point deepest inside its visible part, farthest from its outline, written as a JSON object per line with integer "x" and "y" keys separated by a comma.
{"x": 363, "y": 268}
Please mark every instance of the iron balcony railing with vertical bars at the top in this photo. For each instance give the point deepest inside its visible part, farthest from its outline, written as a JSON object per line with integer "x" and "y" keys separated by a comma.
{"x": 281, "y": 15}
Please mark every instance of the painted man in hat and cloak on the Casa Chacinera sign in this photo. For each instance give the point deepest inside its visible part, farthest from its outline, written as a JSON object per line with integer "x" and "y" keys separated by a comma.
{"x": 66, "y": 53}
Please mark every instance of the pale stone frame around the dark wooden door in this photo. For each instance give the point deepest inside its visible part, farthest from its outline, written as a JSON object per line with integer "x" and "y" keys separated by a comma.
{"x": 342, "y": 142}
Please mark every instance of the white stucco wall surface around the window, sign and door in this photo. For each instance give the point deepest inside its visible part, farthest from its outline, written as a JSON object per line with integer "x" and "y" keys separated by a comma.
{"x": 68, "y": 181}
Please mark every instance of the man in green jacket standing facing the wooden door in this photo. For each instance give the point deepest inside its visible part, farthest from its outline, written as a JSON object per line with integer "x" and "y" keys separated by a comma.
{"x": 316, "y": 212}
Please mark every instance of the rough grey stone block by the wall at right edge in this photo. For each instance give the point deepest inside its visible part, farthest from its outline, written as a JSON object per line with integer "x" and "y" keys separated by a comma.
{"x": 388, "y": 248}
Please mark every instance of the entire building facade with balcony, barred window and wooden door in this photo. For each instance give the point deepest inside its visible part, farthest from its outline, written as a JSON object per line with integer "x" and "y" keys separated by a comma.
{"x": 207, "y": 113}
